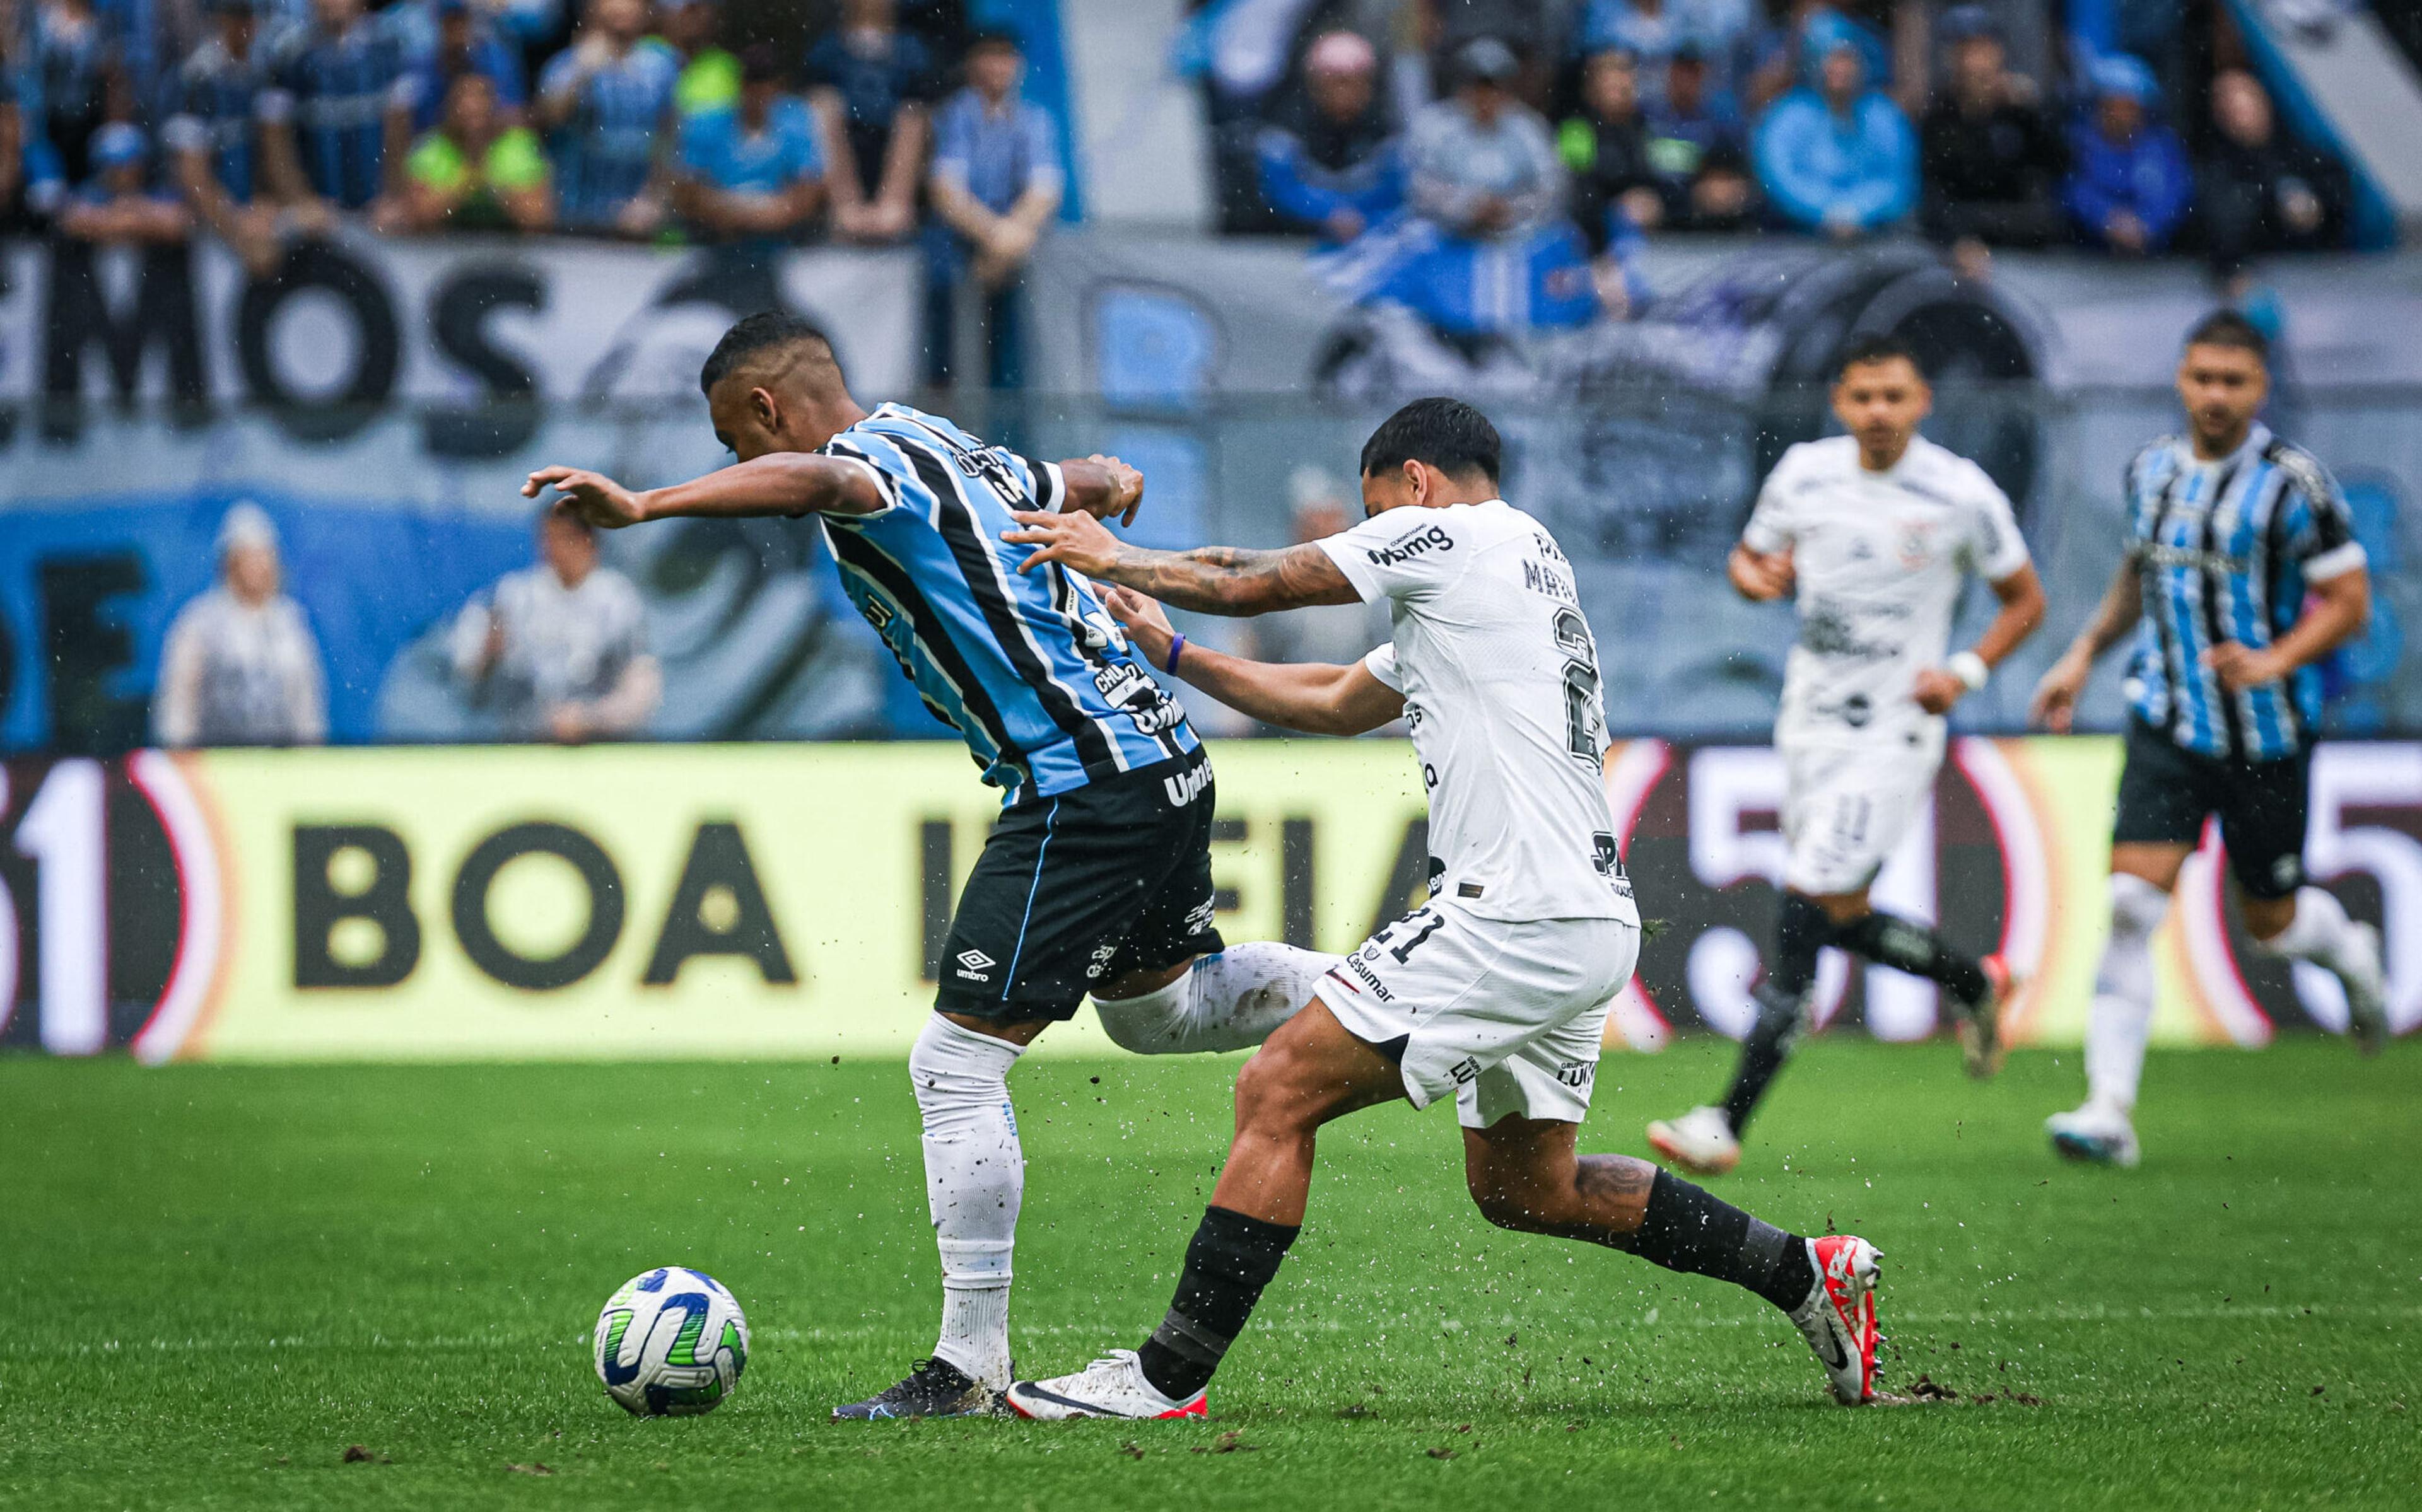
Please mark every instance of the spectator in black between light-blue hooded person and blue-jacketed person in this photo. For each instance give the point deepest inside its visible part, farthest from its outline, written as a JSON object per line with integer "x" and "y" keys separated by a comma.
{"x": 1992, "y": 156}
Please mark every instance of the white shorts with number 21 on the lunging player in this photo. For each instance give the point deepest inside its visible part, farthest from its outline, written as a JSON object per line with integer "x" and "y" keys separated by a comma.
{"x": 1505, "y": 1016}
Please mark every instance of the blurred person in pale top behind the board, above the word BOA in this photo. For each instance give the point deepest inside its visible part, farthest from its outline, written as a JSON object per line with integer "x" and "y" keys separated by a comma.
{"x": 561, "y": 651}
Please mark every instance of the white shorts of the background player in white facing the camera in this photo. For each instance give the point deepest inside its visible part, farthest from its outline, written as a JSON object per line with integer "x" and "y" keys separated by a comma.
{"x": 1847, "y": 808}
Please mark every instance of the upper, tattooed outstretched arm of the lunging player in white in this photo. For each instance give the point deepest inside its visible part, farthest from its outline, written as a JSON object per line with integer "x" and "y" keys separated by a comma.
{"x": 1207, "y": 580}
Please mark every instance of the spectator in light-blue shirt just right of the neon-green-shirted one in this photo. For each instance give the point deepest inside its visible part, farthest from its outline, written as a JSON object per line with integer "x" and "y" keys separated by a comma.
{"x": 607, "y": 101}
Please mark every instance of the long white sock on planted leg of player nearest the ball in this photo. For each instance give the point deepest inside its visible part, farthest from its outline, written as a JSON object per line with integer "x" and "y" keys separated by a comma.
{"x": 975, "y": 1181}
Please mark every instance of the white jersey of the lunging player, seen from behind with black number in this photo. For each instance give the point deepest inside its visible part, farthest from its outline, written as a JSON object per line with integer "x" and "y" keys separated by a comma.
{"x": 1500, "y": 685}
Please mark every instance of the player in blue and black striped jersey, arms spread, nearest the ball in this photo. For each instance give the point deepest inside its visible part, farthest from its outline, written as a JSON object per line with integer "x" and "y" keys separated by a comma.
{"x": 1098, "y": 876}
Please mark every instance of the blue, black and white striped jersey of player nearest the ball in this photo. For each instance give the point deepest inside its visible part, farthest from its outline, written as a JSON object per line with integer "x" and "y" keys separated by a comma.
{"x": 1031, "y": 670}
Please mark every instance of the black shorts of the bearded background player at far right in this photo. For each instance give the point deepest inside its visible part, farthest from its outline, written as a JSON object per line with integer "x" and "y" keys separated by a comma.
{"x": 2166, "y": 794}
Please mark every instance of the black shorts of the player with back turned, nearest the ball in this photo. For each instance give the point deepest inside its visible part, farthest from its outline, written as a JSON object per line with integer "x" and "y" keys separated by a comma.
{"x": 1081, "y": 888}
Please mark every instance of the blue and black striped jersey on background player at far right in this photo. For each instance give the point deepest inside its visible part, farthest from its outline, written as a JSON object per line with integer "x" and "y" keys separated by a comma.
{"x": 2225, "y": 554}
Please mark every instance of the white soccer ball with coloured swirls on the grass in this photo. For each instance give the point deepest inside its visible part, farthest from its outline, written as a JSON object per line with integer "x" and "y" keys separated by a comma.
{"x": 670, "y": 1344}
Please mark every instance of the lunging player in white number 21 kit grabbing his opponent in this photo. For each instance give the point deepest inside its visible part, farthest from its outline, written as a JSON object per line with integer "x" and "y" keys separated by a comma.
{"x": 1493, "y": 995}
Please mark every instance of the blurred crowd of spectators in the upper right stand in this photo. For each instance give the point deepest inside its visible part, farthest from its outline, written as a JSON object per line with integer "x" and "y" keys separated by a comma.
{"x": 2118, "y": 130}
